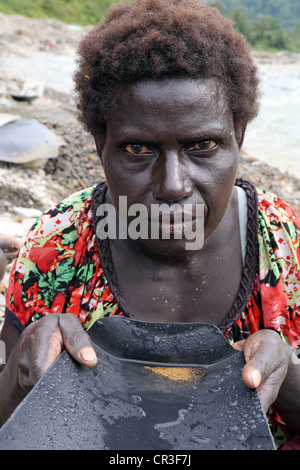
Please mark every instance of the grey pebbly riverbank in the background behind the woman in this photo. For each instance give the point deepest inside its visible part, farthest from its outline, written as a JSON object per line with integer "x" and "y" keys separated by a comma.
{"x": 27, "y": 190}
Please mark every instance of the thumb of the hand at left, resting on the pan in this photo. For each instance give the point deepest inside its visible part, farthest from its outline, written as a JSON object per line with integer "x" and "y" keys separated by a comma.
{"x": 76, "y": 340}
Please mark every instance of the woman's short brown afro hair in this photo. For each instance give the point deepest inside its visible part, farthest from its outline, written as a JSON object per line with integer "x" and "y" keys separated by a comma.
{"x": 151, "y": 39}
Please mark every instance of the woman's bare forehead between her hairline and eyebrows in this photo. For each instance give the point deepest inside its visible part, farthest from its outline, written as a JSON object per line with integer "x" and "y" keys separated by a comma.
{"x": 172, "y": 103}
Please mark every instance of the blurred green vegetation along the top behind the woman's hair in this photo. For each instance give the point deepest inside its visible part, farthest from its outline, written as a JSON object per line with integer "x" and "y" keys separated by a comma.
{"x": 270, "y": 25}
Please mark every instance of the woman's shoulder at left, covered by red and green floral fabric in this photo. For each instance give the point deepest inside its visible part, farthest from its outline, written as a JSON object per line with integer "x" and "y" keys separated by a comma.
{"x": 56, "y": 260}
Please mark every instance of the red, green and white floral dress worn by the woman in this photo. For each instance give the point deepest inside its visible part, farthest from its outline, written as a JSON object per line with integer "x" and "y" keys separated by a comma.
{"x": 63, "y": 267}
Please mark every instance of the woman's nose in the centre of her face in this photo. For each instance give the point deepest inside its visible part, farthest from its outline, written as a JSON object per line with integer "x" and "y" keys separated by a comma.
{"x": 172, "y": 180}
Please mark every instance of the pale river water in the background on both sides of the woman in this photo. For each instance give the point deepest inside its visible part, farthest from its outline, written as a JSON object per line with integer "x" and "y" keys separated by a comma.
{"x": 273, "y": 137}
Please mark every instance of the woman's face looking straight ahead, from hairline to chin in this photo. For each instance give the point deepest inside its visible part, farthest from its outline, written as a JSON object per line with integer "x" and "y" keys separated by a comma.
{"x": 172, "y": 141}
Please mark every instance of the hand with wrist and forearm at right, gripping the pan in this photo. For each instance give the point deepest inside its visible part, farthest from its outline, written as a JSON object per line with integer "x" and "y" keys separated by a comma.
{"x": 271, "y": 368}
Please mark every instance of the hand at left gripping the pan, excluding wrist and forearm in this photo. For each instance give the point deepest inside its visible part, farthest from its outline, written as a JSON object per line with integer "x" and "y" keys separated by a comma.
{"x": 44, "y": 340}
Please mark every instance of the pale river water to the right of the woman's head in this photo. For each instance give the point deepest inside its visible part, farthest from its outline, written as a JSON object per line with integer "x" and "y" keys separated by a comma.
{"x": 274, "y": 135}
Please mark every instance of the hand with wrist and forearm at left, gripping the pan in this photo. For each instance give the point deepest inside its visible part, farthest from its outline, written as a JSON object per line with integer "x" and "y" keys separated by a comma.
{"x": 36, "y": 349}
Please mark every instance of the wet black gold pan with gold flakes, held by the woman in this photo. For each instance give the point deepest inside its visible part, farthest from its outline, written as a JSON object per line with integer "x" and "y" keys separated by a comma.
{"x": 157, "y": 386}
